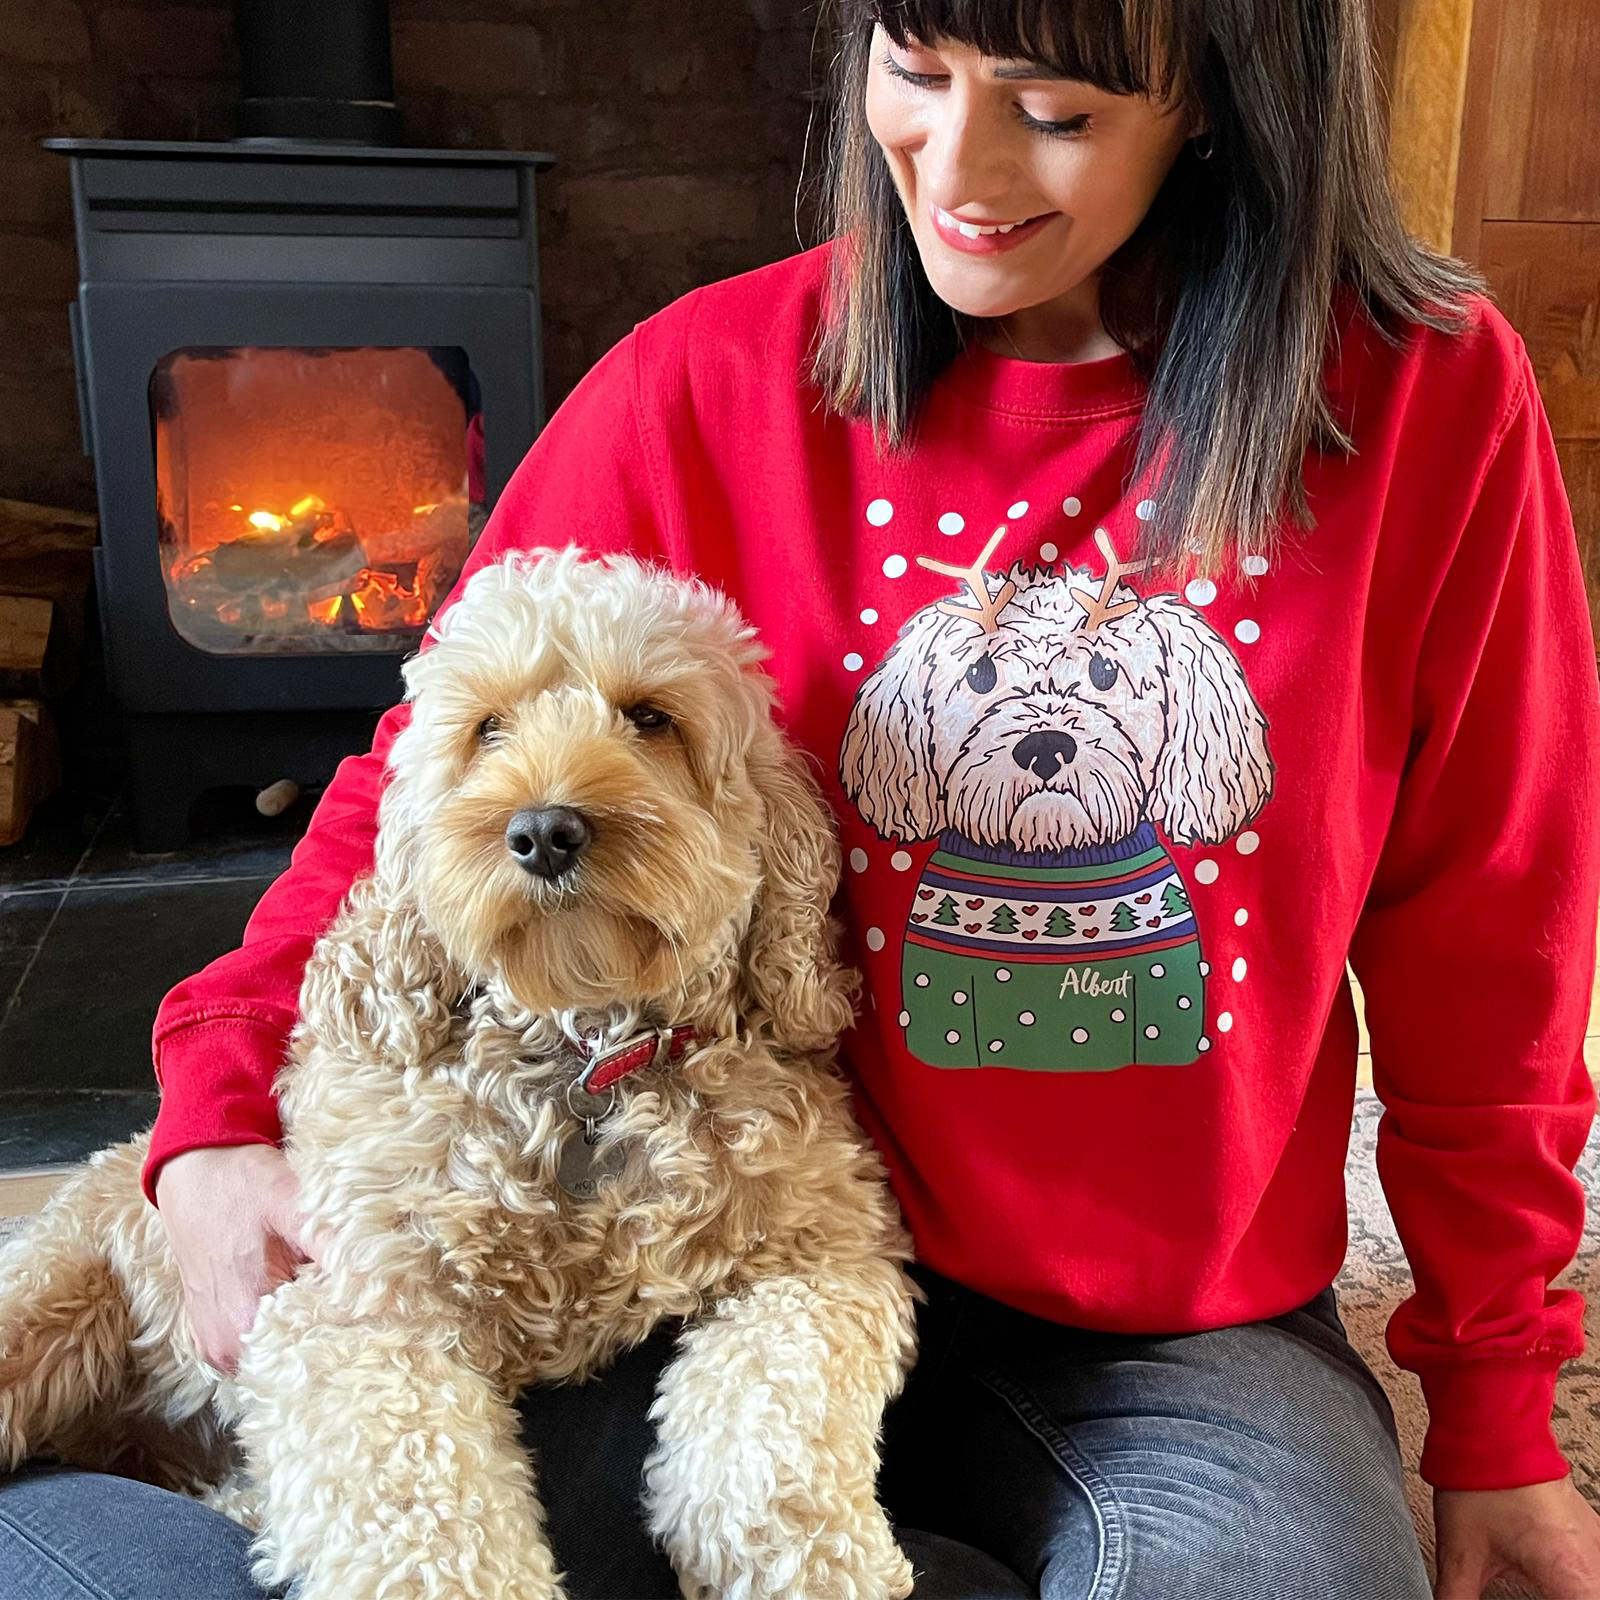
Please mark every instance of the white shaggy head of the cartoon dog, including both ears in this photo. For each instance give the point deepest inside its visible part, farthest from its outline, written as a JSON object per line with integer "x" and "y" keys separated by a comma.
{"x": 1039, "y": 735}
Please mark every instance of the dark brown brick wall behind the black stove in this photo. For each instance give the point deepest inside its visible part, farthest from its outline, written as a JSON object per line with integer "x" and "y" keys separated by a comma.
{"x": 678, "y": 127}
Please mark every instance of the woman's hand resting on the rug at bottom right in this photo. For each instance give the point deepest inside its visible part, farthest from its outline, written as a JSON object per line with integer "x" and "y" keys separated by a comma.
{"x": 1545, "y": 1534}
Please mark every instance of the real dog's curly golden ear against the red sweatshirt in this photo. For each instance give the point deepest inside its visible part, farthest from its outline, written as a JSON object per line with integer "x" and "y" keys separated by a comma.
{"x": 790, "y": 959}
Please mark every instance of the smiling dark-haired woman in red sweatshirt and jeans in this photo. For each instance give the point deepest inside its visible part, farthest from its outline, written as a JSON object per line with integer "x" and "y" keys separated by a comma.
{"x": 1110, "y": 289}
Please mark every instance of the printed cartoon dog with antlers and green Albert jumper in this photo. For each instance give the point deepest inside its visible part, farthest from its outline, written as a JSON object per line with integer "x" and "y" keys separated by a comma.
{"x": 1042, "y": 729}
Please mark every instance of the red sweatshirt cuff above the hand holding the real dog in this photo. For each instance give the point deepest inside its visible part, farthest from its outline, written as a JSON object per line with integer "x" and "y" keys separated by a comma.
{"x": 214, "y": 1089}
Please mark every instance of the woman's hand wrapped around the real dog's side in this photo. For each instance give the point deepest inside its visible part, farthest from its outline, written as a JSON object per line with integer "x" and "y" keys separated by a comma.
{"x": 234, "y": 1228}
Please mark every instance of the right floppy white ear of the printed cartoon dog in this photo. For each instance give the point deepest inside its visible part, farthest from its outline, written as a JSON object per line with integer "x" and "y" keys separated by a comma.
{"x": 1214, "y": 774}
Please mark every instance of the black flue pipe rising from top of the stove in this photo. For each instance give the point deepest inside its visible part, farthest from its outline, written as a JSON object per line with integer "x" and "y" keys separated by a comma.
{"x": 316, "y": 70}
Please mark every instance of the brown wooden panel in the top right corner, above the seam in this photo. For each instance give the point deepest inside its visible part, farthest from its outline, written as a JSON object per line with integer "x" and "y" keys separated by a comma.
{"x": 1542, "y": 162}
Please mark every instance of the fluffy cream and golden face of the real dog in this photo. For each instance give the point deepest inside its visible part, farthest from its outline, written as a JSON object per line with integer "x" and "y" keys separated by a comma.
{"x": 588, "y": 791}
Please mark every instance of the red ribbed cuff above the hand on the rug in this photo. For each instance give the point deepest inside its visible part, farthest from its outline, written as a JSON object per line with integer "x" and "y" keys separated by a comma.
{"x": 1489, "y": 1425}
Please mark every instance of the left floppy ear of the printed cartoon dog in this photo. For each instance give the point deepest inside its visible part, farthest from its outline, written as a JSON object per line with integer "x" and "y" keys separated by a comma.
{"x": 886, "y": 761}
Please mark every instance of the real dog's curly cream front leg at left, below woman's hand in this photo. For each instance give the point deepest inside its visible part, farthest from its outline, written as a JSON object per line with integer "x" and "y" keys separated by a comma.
{"x": 388, "y": 1465}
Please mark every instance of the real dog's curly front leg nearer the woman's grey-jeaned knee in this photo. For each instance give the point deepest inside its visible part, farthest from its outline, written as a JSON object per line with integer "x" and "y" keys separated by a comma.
{"x": 764, "y": 1478}
